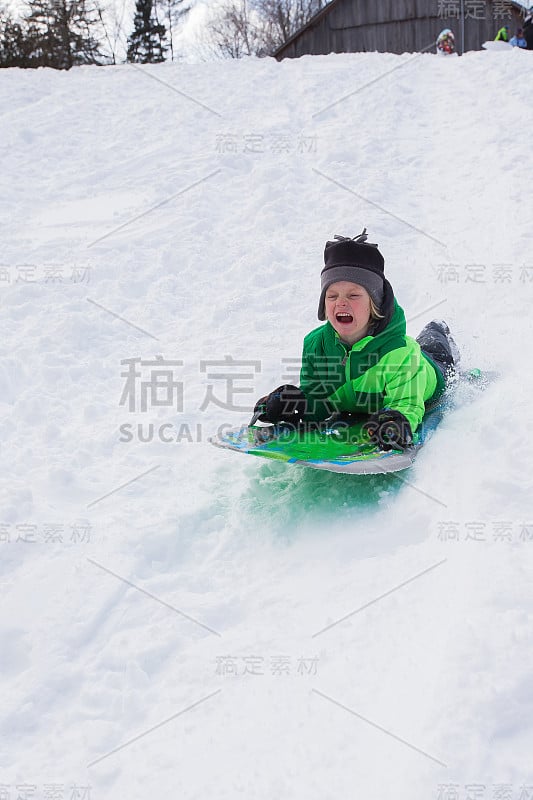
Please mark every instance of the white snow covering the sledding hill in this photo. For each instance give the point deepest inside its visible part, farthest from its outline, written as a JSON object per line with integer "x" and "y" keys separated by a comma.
{"x": 181, "y": 211}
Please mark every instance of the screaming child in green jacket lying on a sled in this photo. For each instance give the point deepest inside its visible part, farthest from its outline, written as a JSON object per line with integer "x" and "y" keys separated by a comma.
{"x": 361, "y": 362}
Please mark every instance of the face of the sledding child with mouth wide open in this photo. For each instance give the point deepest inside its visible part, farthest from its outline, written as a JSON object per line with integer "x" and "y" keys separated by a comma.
{"x": 348, "y": 310}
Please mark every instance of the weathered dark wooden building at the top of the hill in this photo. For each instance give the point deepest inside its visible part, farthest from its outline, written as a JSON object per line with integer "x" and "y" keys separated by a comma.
{"x": 399, "y": 26}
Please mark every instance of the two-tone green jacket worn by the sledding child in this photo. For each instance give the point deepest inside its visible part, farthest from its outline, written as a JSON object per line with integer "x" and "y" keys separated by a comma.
{"x": 384, "y": 370}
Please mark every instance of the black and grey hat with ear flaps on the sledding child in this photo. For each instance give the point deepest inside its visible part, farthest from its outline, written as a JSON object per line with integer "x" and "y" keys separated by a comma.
{"x": 352, "y": 260}
